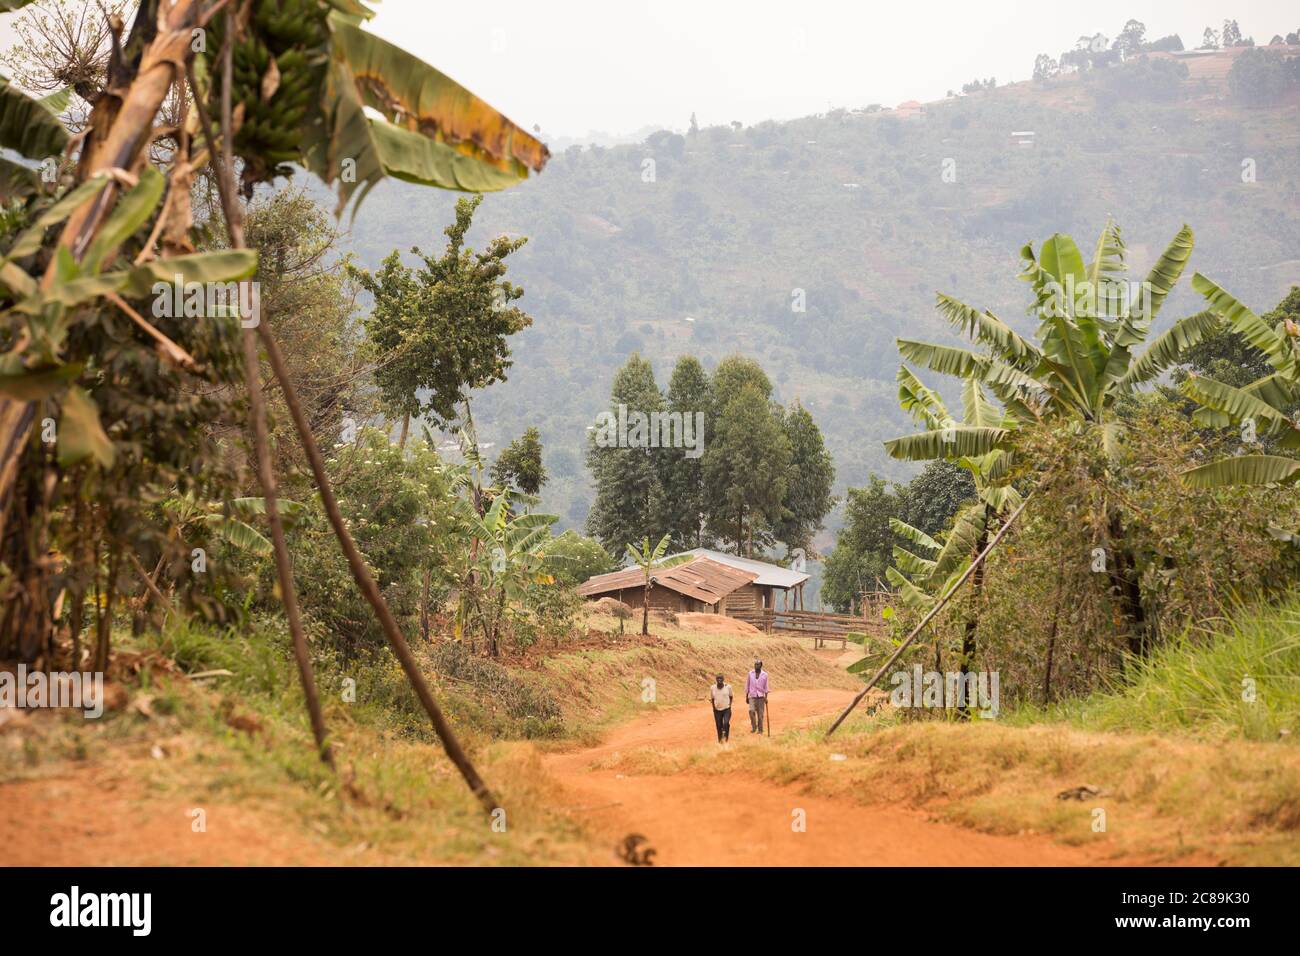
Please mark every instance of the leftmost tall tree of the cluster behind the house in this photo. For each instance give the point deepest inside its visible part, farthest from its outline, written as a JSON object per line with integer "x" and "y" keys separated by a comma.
{"x": 629, "y": 492}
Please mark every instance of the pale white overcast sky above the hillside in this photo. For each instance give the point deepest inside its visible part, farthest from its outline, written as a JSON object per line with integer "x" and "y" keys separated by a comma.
{"x": 574, "y": 67}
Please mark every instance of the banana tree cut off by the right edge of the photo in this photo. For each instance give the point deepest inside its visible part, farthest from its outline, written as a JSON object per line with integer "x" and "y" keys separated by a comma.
{"x": 1262, "y": 404}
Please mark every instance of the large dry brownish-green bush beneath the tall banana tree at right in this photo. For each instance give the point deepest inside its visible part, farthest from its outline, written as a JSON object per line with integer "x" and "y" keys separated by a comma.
{"x": 1045, "y": 594}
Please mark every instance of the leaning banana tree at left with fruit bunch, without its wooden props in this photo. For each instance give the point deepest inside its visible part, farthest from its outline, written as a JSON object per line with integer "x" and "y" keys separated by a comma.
{"x": 307, "y": 84}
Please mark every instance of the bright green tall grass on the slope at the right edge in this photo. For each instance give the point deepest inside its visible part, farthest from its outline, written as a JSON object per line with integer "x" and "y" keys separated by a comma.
{"x": 1237, "y": 678}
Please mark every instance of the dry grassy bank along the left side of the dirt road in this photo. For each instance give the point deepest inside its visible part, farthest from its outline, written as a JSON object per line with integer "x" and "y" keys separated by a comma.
{"x": 209, "y": 717}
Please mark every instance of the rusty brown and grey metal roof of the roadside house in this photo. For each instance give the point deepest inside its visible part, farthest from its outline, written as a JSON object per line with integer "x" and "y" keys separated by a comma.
{"x": 709, "y": 582}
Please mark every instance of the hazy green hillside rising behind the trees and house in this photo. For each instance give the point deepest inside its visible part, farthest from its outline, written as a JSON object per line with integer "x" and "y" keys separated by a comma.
{"x": 851, "y": 207}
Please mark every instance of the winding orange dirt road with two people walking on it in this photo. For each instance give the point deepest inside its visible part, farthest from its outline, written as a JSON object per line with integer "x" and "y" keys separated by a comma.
{"x": 697, "y": 819}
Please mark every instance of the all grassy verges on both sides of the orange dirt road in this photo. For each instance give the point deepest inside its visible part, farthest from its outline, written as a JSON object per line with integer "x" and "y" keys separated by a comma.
{"x": 1186, "y": 769}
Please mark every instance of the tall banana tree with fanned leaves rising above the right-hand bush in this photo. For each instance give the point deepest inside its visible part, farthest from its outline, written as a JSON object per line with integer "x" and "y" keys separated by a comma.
{"x": 1090, "y": 349}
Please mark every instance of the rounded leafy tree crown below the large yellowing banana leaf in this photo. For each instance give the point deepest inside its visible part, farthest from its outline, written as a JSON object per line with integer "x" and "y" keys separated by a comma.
{"x": 443, "y": 330}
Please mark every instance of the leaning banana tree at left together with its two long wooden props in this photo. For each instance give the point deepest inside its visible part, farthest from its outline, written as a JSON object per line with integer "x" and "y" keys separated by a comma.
{"x": 271, "y": 84}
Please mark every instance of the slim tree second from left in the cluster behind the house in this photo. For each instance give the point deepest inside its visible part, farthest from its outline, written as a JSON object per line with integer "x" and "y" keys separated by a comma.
{"x": 684, "y": 503}
